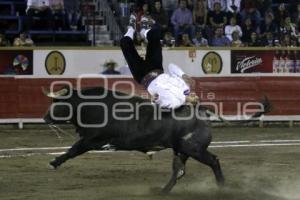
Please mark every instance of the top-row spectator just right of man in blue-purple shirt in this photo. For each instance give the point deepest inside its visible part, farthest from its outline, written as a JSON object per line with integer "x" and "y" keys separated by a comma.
{"x": 200, "y": 13}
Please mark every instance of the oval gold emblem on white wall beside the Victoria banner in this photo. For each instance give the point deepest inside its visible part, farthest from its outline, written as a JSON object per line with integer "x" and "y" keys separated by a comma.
{"x": 212, "y": 63}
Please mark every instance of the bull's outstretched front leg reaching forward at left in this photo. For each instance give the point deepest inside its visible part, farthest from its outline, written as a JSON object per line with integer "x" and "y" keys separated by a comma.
{"x": 77, "y": 149}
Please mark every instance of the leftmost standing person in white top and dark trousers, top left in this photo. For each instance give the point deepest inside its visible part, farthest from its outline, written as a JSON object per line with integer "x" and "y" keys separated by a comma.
{"x": 39, "y": 8}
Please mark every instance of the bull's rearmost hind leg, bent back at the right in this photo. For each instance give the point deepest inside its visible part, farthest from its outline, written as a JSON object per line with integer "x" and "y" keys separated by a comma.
{"x": 211, "y": 160}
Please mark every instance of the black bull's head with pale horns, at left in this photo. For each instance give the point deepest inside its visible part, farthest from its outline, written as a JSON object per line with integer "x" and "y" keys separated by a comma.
{"x": 60, "y": 110}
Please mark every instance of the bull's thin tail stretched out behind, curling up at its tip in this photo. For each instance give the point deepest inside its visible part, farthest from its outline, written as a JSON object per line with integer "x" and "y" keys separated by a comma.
{"x": 266, "y": 109}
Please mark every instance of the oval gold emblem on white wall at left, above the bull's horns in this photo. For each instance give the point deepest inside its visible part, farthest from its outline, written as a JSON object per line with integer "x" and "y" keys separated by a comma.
{"x": 55, "y": 63}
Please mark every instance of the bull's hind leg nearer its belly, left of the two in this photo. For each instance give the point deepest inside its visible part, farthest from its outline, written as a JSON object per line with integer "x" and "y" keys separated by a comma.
{"x": 178, "y": 171}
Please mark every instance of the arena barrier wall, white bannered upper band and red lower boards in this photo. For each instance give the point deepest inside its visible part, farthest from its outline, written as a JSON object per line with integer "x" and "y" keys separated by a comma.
{"x": 230, "y": 78}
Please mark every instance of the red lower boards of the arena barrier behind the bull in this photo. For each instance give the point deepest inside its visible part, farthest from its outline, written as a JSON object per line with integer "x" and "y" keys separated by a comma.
{"x": 22, "y": 98}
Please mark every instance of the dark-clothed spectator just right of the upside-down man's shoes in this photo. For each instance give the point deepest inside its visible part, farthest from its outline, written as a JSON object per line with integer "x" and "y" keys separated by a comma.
{"x": 160, "y": 17}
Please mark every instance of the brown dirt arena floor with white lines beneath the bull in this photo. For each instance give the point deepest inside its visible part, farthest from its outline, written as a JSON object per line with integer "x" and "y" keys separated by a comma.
{"x": 258, "y": 164}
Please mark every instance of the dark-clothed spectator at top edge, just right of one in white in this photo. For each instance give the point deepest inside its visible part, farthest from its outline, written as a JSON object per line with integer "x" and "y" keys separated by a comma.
{"x": 250, "y": 11}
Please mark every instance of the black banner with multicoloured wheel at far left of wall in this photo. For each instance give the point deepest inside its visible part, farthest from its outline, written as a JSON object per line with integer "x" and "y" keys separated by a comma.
{"x": 16, "y": 62}
